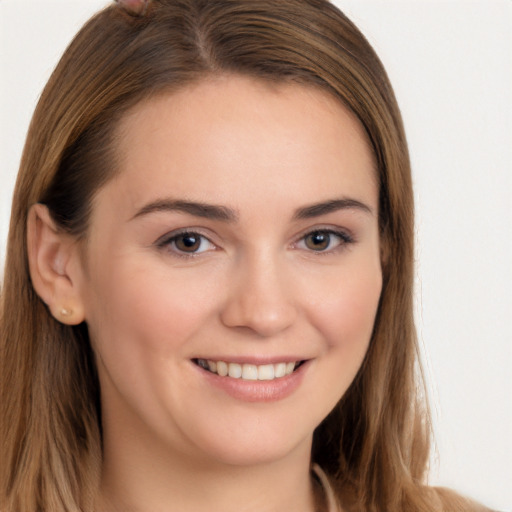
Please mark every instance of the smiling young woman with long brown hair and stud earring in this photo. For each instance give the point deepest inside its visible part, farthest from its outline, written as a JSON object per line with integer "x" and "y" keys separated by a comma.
{"x": 214, "y": 303}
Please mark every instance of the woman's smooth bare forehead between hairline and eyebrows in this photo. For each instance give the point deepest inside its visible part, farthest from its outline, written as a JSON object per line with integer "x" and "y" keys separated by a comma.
{"x": 206, "y": 137}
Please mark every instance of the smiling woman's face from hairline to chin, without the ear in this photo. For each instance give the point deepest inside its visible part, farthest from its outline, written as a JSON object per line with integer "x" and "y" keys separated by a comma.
{"x": 241, "y": 236}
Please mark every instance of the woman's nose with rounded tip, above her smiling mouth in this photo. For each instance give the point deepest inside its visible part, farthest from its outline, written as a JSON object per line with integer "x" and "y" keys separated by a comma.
{"x": 261, "y": 298}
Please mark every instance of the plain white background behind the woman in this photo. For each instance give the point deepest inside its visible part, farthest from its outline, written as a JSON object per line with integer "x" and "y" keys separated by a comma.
{"x": 451, "y": 65}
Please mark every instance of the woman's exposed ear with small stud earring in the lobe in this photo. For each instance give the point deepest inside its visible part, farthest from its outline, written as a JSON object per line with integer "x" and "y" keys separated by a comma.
{"x": 55, "y": 266}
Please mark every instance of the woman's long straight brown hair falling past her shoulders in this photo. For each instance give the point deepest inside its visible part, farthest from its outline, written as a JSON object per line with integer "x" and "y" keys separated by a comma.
{"x": 375, "y": 443}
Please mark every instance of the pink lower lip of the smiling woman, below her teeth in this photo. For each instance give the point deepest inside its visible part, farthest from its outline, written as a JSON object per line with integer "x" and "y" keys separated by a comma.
{"x": 257, "y": 390}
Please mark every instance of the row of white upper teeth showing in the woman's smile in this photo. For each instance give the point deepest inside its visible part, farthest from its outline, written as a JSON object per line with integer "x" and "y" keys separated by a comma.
{"x": 249, "y": 371}
